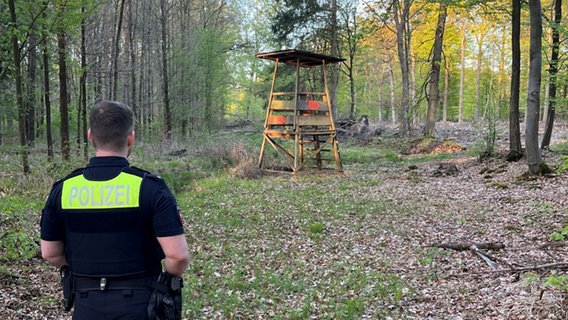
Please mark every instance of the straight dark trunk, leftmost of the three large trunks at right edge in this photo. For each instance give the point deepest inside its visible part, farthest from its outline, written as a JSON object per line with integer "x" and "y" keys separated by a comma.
{"x": 515, "y": 149}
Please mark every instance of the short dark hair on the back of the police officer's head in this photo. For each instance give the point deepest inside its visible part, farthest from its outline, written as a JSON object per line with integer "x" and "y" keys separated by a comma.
{"x": 111, "y": 123}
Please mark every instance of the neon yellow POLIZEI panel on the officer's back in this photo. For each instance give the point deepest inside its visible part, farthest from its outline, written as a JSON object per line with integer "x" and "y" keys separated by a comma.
{"x": 120, "y": 192}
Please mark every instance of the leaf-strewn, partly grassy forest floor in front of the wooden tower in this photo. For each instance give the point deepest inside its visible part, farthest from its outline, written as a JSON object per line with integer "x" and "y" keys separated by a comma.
{"x": 357, "y": 245}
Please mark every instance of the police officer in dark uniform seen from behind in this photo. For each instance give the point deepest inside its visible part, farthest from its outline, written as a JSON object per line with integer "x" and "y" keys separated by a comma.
{"x": 111, "y": 225}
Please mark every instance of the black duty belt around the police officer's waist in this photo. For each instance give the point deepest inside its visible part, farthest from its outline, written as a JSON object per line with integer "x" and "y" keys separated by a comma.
{"x": 87, "y": 284}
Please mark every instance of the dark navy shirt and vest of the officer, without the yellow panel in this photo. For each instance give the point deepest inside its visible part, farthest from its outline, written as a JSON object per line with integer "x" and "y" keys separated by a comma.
{"x": 130, "y": 231}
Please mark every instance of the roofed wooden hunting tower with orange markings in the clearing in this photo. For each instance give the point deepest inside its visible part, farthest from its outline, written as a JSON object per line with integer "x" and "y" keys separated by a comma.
{"x": 299, "y": 124}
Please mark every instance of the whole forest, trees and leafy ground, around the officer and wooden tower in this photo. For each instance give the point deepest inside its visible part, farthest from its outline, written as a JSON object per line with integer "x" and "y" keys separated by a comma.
{"x": 450, "y": 205}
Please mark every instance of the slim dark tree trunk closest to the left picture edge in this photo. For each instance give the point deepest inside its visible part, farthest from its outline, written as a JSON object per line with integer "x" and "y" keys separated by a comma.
{"x": 19, "y": 90}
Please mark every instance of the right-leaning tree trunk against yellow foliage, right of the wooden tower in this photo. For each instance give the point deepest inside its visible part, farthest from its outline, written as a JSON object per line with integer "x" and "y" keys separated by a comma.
{"x": 434, "y": 91}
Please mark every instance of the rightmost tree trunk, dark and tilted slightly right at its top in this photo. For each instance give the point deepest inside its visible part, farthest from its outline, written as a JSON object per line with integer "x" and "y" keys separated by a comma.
{"x": 553, "y": 74}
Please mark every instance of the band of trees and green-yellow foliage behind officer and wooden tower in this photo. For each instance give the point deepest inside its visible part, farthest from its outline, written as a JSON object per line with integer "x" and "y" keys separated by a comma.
{"x": 189, "y": 68}
